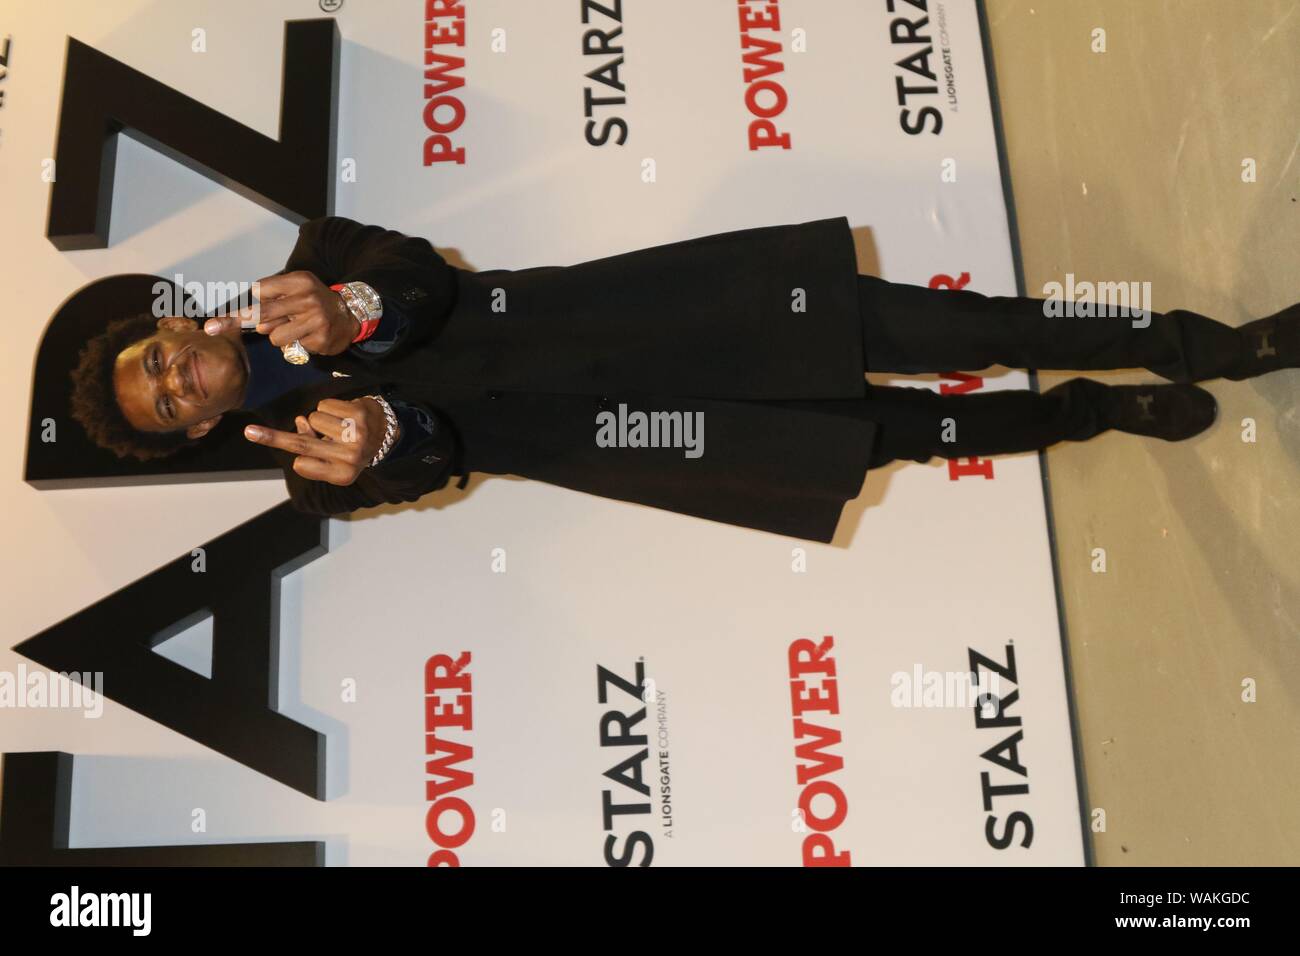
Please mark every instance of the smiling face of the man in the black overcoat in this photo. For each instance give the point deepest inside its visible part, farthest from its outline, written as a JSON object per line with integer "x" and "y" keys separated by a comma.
{"x": 181, "y": 378}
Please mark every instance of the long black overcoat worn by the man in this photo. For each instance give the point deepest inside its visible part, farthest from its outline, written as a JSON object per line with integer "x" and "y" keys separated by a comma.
{"x": 515, "y": 366}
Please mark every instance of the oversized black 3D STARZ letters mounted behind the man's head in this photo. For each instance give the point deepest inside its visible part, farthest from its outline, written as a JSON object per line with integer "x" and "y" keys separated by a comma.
{"x": 236, "y": 711}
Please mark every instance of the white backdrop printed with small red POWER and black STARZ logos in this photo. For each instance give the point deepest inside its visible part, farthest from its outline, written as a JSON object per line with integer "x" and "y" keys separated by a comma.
{"x": 799, "y": 703}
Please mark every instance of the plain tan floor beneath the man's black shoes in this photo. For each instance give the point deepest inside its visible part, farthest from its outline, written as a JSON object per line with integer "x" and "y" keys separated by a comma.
{"x": 1133, "y": 165}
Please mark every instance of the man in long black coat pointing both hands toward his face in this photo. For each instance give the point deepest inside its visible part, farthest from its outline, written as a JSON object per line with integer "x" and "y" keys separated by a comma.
{"x": 421, "y": 371}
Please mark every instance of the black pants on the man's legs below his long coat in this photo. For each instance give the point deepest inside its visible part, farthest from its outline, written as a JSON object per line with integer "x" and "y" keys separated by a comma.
{"x": 911, "y": 330}
